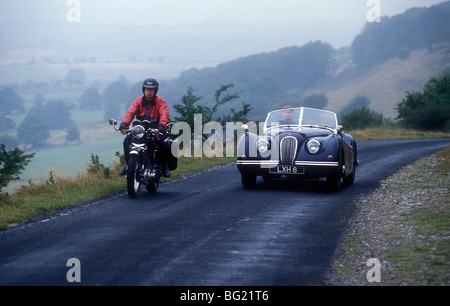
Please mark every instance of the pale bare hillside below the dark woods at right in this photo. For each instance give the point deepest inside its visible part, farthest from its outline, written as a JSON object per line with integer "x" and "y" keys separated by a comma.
{"x": 384, "y": 85}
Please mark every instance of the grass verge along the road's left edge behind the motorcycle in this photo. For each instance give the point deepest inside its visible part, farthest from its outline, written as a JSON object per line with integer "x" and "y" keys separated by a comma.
{"x": 56, "y": 192}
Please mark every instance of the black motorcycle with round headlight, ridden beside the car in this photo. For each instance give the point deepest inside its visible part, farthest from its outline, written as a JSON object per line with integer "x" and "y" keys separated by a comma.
{"x": 145, "y": 165}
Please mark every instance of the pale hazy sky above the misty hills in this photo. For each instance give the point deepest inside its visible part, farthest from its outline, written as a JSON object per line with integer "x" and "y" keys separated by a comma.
{"x": 182, "y": 33}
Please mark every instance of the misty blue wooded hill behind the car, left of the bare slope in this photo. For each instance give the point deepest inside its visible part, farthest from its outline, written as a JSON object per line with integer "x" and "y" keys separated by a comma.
{"x": 259, "y": 78}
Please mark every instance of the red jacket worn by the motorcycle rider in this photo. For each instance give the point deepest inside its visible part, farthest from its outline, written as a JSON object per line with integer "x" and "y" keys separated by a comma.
{"x": 159, "y": 111}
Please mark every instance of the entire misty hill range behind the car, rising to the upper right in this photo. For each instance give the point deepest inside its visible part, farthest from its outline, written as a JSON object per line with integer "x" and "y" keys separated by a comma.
{"x": 410, "y": 48}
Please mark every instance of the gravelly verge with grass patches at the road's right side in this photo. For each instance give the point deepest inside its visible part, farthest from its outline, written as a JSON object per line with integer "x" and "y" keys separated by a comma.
{"x": 405, "y": 224}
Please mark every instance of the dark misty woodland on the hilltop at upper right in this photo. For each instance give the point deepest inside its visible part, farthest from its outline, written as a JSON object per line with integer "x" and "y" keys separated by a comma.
{"x": 397, "y": 36}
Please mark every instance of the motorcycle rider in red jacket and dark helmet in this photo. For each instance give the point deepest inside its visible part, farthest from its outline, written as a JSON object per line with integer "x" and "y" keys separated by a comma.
{"x": 153, "y": 108}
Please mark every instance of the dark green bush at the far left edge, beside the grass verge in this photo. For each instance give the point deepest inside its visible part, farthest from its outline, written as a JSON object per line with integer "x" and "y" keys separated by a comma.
{"x": 11, "y": 165}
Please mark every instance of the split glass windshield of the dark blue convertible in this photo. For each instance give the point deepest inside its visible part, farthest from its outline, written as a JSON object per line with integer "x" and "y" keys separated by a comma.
{"x": 301, "y": 116}
